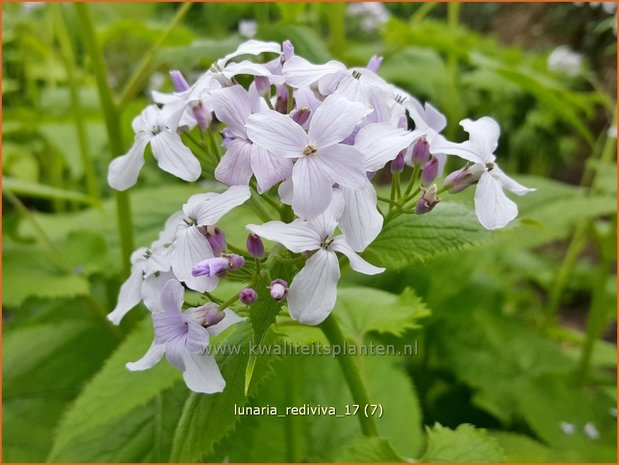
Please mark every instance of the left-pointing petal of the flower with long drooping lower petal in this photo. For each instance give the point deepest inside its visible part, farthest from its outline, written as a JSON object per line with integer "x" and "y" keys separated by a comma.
{"x": 297, "y": 236}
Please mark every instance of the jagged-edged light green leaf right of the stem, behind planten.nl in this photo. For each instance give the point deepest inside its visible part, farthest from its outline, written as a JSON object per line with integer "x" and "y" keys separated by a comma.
{"x": 361, "y": 310}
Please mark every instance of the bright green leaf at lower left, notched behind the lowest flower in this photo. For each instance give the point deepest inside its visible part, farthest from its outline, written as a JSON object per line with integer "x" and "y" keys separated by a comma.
{"x": 113, "y": 392}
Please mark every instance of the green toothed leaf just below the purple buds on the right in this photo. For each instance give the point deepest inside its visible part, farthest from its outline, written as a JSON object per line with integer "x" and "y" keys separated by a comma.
{"x": 410, "y": 238}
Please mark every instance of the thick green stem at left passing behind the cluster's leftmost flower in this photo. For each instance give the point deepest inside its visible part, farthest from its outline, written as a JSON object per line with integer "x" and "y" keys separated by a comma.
{"x": 112, "y": 124}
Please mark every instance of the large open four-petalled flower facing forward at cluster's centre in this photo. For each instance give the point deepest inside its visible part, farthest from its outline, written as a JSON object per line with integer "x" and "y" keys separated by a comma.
{"x": 321, "y": 160}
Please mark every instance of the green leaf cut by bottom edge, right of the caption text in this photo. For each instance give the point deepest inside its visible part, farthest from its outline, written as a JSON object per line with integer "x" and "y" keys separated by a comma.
{"x": 462, "y": 445}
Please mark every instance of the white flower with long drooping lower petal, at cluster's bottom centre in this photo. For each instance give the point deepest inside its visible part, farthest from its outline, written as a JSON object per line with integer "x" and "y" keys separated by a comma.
{"x": 313, "y": 290}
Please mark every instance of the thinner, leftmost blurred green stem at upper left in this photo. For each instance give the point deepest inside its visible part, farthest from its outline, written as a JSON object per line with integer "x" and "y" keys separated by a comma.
{"x": 68, "y": 58}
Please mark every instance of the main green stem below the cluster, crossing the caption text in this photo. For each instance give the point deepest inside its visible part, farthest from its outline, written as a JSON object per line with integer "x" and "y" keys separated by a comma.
{"x": 352, "y": 374}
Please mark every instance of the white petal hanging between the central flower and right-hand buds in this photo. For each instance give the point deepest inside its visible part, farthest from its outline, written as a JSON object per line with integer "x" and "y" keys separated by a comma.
{"x": 361, "y": 221}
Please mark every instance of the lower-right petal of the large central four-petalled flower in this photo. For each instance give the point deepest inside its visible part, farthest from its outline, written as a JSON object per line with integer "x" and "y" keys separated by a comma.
{"x": 343, "y": 164}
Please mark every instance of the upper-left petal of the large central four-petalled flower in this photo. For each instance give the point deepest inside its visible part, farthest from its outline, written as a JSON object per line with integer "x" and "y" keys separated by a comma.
{"x": 277, "y": 133}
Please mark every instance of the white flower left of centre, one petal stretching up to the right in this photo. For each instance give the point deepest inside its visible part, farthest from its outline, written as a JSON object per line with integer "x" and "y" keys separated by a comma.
{"x": 190, "y": 245}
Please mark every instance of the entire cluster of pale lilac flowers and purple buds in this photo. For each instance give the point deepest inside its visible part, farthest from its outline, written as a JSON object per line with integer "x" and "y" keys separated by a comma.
{"x": 320, "y": 133}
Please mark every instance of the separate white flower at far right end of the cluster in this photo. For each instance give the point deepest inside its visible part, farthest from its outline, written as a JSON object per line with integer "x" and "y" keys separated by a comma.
{"x": 493, "y": 208}
